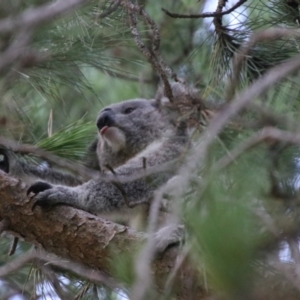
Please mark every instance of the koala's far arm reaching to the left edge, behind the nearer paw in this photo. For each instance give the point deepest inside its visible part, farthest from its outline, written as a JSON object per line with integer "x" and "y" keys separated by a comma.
{"x": 29, "y": 173}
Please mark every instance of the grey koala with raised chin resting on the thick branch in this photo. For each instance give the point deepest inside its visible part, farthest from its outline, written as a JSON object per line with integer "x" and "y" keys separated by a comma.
{"x": 139, "y": 147}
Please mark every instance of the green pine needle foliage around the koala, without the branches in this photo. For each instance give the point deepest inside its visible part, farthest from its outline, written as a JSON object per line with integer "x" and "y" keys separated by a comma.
{"x": 85, "y": 62}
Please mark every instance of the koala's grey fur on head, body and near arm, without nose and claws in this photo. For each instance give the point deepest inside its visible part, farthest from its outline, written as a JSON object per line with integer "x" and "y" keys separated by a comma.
{"x": 144, "y": 141}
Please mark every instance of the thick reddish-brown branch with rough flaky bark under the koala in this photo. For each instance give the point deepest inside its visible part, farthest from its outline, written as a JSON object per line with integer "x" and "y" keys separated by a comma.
{"x": 83, "y": 237}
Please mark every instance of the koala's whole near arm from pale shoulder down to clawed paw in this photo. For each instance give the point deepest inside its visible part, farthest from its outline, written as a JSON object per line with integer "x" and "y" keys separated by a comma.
{"x": 98, "y": 195}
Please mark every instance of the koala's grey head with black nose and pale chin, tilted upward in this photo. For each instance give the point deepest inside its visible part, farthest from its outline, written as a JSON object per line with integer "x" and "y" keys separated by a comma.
{"x": 128, "y": 127}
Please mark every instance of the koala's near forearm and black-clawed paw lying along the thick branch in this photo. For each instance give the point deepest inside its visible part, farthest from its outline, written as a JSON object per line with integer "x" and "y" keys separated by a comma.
{"x": 94, "y": 196}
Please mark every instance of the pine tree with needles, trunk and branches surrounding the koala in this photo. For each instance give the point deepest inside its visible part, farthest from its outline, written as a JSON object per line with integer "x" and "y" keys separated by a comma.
{"x": 61, "y": 62}
